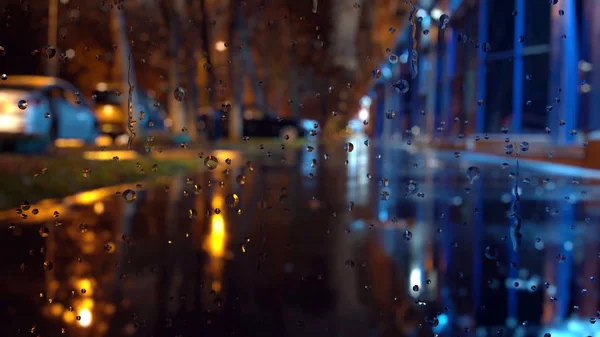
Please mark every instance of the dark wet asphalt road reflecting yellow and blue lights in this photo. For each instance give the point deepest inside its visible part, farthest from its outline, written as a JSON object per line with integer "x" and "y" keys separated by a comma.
{"x": 309, "y": 246}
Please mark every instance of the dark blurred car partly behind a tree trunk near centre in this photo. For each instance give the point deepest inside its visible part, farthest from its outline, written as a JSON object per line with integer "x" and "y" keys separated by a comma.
{"x": 255, "y": 124}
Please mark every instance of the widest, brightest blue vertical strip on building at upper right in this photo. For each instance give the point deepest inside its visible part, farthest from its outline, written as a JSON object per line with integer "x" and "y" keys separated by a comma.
{"x": 570, "y": 70}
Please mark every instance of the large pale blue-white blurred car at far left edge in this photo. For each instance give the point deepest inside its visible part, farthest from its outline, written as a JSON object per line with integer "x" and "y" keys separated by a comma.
{"x": 37, "y": 110}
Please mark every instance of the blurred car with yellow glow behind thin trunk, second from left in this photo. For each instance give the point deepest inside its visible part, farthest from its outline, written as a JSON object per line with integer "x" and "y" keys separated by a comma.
{"x": 113, "y": 120}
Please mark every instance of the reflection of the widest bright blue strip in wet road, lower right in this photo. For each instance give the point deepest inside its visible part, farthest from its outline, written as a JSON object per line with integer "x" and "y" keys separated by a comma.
{"x": 565, "y": 268}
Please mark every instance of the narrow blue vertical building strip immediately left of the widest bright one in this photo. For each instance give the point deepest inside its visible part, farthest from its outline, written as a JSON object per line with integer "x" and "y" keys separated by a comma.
{"x": 518, "y": 72}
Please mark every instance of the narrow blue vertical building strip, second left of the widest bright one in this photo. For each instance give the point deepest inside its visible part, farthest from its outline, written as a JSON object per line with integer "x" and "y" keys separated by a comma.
{"x": 481, "y": 71}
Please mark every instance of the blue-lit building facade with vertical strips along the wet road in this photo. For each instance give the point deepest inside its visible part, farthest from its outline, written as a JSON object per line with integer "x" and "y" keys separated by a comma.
{"x": 527, "y": 65}
